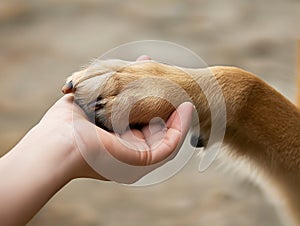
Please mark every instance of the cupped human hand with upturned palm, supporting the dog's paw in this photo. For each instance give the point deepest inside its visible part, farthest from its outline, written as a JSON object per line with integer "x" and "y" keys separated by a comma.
{"x": 148, "y": 146}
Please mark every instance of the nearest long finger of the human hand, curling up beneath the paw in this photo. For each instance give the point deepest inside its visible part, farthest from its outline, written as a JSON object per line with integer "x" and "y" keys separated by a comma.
{"x": 123, "y": 151}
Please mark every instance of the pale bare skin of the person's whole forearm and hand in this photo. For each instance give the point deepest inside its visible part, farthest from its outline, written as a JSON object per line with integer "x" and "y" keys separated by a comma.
{"x": 47, "y": 158}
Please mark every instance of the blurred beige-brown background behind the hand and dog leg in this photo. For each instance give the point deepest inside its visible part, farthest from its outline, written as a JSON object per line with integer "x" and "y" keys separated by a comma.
{"x": 42, "y": 42}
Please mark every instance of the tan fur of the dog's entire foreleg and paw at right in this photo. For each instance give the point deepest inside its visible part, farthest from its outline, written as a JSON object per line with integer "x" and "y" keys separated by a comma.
{"x": 262, "y": 125}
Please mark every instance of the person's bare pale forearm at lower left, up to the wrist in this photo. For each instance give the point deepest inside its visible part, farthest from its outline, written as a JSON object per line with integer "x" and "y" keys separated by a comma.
{"x": 31, "y": 173}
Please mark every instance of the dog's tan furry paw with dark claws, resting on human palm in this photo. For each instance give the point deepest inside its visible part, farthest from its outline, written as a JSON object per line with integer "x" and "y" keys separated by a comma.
{"x": 117, "y": 94}
